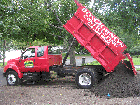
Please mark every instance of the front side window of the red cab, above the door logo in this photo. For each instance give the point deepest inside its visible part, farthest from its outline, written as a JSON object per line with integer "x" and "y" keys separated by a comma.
{"x": 29, "y": 53}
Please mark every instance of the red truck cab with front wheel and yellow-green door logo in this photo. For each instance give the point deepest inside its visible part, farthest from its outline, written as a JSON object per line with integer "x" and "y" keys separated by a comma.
{"x": 34, "y": 63}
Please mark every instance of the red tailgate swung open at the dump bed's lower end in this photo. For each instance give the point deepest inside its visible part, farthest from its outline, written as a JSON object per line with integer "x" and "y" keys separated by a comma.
{"x": 130, "y": 65}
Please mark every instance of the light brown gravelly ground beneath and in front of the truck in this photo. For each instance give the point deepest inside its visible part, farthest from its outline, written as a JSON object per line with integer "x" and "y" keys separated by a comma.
{"x": 62, "y": 91}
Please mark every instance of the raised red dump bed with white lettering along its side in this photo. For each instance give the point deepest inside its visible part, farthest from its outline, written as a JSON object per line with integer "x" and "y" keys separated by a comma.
{"x": 91, "y": 33}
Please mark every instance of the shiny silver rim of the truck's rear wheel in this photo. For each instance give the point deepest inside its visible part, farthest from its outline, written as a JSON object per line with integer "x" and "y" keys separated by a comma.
{"x": 85, "y": 79}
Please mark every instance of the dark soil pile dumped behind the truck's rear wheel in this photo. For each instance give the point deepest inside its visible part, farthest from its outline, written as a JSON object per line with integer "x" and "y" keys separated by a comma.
{"x": 118, "y": 84}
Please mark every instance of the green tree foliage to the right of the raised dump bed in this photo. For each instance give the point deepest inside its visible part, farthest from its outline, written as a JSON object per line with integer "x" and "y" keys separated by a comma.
{"x": 122, "y": 17}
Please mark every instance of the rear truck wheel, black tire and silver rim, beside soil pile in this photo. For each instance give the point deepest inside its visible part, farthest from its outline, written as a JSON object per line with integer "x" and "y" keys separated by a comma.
{"x": 84, "y": 79}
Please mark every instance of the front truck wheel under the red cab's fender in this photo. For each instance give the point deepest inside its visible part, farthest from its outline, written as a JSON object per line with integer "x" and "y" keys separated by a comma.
{"x": 12, "y": 78}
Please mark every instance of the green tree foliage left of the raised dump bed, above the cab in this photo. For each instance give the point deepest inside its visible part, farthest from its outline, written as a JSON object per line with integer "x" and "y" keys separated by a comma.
{"x": 30, "y": 20}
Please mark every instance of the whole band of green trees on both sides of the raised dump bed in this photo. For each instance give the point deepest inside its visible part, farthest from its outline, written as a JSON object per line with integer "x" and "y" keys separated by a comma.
{"x": 27, "y": 22}
